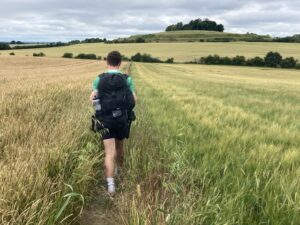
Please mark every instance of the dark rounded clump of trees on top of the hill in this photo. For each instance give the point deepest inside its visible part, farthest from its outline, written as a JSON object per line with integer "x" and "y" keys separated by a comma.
{"x": 197, "y": 24}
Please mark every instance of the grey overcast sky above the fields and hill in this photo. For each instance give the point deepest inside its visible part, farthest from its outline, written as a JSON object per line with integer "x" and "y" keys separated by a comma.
{"x": 54, "y": 20}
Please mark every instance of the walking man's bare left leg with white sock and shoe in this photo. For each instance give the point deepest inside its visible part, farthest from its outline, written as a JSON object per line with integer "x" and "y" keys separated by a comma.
{"x": 109, "y": 162}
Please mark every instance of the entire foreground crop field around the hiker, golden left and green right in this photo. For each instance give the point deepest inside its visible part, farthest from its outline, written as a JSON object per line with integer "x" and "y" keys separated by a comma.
{"x": 211, "y": 145}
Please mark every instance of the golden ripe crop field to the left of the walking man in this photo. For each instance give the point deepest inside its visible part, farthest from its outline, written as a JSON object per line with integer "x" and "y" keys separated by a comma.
{"x": 47, "y": 153}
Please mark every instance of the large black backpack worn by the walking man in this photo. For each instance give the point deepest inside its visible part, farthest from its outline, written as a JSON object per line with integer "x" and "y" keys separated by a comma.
{"x": 116, "y": 100}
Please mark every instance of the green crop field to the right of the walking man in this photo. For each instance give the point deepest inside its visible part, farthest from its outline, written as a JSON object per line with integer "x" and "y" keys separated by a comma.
{"x": 219, "y": 145}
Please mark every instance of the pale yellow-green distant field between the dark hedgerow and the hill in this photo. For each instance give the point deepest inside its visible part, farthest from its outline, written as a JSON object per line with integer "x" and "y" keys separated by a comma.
{"x": 180, "y": 51}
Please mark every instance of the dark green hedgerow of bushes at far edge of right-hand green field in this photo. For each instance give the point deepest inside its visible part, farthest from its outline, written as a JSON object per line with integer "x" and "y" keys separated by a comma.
{"x": 272, "y": 59}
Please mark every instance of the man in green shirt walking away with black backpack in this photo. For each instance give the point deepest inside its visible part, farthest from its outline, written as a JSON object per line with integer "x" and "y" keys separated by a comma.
{"x": 113, "y": 98}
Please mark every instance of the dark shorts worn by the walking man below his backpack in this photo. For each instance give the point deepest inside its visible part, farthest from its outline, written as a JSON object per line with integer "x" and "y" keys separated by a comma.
{"x": 118, "y": 132}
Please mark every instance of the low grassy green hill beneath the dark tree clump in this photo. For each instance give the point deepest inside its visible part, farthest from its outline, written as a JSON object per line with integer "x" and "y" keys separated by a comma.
{"x": 195, "y": 36}
